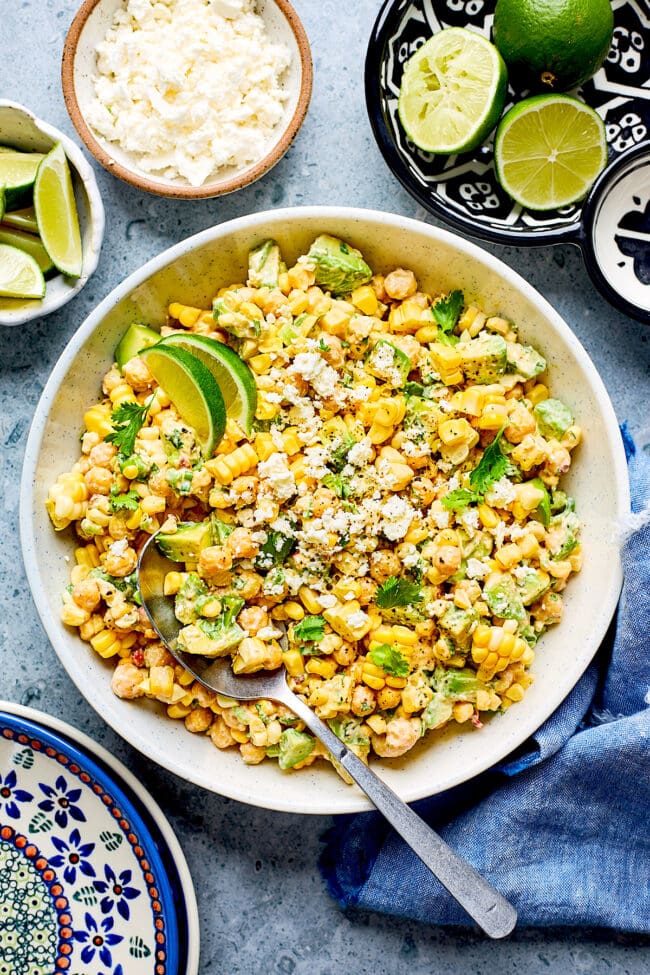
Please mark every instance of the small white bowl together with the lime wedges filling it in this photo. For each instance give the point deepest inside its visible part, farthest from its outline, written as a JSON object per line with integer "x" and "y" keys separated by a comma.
{"x": 51, "y": 217}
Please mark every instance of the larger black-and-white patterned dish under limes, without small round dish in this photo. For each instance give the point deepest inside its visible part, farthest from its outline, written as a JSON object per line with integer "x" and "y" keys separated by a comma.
{"x": 463, "y": 189}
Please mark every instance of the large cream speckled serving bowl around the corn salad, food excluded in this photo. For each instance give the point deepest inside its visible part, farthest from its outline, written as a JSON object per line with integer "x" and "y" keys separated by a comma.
{"x": 191, "y": 272}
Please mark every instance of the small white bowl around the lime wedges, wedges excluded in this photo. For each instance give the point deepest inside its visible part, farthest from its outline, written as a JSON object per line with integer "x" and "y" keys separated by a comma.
{"x": 21, "y": 129}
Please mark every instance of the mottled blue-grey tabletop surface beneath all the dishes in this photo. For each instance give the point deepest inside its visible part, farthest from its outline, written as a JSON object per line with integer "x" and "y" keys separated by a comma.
{"x": 262, "y": 902}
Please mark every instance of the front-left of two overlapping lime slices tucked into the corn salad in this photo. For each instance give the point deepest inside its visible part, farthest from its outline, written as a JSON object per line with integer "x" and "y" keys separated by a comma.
{"x": 192, "y": 389}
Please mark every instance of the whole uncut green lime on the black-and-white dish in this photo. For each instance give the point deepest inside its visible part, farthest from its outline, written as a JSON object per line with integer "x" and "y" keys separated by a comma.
{"x": 553, "y": 45}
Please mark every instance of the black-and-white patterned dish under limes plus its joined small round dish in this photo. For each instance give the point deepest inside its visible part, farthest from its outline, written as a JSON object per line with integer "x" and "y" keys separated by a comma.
{"x": 463, "y": 190}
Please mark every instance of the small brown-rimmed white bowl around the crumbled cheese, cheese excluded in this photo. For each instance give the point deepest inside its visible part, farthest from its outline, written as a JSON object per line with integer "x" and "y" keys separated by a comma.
{"x": 78, "y": 68}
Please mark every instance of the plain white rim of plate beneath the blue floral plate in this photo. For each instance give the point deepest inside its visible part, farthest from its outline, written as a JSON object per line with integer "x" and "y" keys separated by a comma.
{"x": 191, "y": 962}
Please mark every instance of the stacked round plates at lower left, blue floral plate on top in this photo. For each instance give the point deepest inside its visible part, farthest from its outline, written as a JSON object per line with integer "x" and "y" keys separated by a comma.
{"x": 92, "y": 879}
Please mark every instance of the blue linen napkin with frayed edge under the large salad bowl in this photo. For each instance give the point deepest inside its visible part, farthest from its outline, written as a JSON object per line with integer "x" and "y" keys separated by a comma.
{"x": 561, "y": 828}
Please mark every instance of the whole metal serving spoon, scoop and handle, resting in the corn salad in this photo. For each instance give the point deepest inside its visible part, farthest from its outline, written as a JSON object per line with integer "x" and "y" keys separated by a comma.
{"x": 481, "y": 901}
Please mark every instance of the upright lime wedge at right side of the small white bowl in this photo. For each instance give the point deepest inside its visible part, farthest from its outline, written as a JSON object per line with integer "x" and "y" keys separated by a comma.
{"x": 56, "y": 212}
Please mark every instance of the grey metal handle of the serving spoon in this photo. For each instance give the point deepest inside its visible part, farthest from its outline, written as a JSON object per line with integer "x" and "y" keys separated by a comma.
{"x": 482, "y": 902}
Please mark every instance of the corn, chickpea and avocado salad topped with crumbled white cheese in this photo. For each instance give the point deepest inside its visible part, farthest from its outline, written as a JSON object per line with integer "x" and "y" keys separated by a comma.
{"x": 396, "y": 506}
